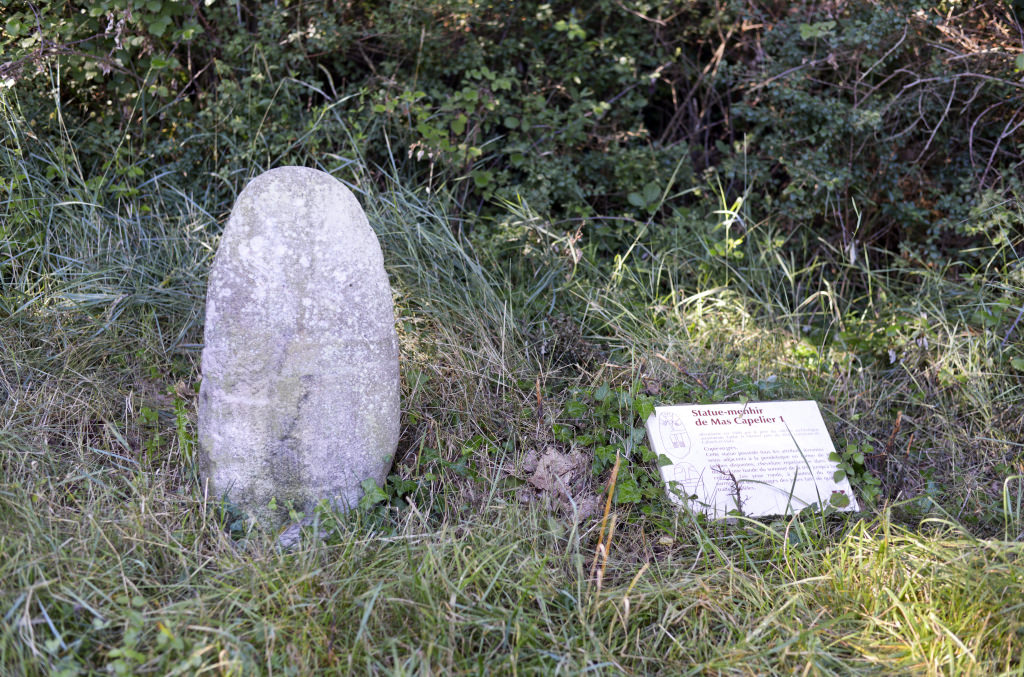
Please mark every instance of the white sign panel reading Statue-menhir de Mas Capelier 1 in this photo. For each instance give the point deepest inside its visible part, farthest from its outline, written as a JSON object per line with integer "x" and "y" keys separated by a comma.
{"x": 755, "y": 458}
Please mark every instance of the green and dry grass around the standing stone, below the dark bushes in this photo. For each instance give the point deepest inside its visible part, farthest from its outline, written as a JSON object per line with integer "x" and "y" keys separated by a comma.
{"x": 113, "y": 560}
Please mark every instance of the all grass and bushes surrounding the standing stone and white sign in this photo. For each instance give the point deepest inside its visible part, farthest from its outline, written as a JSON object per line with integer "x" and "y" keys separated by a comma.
{"x": 585, "y": 213}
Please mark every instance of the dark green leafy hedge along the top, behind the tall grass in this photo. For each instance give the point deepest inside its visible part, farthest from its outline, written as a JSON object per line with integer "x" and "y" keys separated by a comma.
{"x": 893, "y": 124}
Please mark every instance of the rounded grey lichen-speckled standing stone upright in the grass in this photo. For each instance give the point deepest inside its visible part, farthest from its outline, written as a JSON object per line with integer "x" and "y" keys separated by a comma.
{"x": 300, "y": 400}
